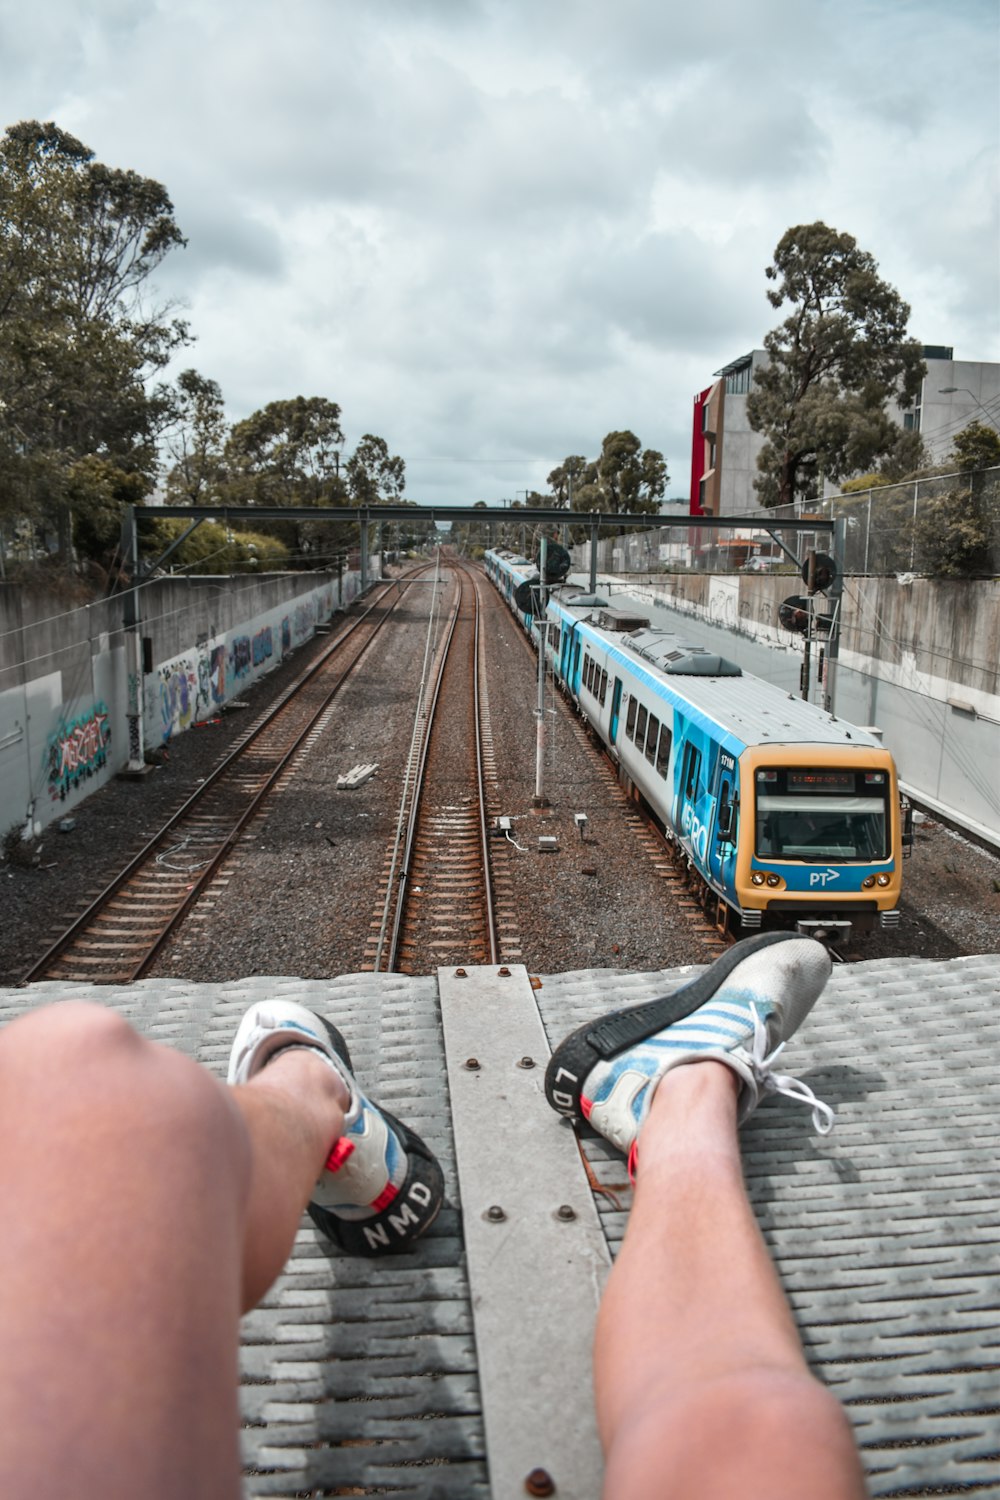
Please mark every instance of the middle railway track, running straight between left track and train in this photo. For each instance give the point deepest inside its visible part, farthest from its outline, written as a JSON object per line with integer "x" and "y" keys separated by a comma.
{"x": 437, "y": 901}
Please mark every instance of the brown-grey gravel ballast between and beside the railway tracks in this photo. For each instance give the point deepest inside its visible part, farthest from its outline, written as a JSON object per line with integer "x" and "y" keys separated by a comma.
{"x": 301, "y": 895}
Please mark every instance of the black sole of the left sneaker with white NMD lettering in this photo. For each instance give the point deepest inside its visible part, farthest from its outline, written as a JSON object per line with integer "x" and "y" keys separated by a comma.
{"x": 413, "y": 1211}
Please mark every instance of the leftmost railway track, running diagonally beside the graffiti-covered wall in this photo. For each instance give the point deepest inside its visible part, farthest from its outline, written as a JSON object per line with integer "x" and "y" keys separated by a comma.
{"x": 124, "y": 929}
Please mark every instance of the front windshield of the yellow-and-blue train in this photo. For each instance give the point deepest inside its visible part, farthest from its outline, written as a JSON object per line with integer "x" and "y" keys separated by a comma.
{"x": 822, "y": 815}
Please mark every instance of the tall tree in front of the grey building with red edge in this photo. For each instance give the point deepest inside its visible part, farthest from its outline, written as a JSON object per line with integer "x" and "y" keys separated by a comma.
{"x": 837, "y": 361}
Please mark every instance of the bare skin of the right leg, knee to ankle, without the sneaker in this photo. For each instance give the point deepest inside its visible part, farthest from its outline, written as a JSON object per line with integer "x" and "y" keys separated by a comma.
{"x": 701, "y": 1382}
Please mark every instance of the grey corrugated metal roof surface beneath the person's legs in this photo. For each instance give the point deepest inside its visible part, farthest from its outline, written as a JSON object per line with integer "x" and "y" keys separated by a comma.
{"x": 887, "y": 1235}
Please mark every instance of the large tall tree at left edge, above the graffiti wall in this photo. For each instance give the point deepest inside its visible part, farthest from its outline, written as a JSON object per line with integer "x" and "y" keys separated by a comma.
{"x": 77, "y": 344}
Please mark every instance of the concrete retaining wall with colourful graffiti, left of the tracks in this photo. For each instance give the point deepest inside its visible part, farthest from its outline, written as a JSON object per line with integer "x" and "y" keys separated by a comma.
{"x": 64, "y": 676}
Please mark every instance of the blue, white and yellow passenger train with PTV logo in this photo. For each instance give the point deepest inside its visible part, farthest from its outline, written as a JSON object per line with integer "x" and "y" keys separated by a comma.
{"x": 785, "y": 815}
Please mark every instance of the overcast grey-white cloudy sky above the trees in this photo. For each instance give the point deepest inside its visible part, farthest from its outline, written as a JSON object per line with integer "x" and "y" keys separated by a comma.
{"x": 496, "y": 230}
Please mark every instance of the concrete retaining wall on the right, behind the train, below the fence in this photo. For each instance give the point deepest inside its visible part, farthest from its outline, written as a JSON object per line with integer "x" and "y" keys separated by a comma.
{"x": 920, "y": 661}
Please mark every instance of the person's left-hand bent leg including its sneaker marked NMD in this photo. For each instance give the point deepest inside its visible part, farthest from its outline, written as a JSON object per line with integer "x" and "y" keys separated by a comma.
{"x": 145, "y": 1207}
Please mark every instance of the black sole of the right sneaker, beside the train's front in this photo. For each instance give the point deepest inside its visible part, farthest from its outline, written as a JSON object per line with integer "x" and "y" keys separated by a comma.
{"x": 618, "y": 1031}
